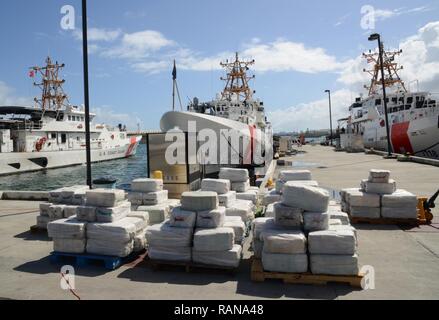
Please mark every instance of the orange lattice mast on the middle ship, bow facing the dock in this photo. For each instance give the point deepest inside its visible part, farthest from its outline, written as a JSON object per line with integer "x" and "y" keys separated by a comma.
{"x": 237, "y": 80}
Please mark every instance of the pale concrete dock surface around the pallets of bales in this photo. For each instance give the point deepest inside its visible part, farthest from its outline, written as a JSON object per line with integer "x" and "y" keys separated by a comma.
{"x": 405, "y": 261}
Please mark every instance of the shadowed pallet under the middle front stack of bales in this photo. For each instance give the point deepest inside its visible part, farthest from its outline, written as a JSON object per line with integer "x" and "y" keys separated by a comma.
{"x": 188, "y": 267}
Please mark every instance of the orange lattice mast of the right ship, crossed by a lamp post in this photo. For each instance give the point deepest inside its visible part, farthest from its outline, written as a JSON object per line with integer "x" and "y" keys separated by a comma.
{"x": 391, "y": 69}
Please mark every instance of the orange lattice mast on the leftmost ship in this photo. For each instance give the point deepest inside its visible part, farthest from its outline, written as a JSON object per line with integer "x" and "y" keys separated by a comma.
{"x": 53, "y": 96}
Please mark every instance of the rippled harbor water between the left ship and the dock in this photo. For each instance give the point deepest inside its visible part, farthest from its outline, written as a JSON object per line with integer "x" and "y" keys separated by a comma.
{"x": 124, "y": 170}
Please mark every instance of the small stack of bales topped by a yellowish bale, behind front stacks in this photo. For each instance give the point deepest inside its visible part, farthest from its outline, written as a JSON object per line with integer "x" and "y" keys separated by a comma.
{"x": 148, "y": 195}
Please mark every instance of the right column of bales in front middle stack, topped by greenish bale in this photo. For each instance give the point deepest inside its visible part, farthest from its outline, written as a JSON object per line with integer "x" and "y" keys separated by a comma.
{"x": 213, "y": 244}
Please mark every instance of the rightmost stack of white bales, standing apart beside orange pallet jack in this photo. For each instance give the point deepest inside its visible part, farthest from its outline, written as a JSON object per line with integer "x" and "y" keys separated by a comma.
{"x": 378, "y": 197}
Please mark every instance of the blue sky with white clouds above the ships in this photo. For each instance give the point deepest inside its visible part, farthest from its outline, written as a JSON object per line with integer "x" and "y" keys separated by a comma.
{"x": 301, "y": 48}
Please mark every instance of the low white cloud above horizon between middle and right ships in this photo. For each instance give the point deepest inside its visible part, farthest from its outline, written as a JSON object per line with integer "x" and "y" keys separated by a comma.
{"x": 313, "y": 115}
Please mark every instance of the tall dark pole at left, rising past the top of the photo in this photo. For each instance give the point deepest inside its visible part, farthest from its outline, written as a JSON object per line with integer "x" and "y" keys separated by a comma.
{"x": 86, "y": 92}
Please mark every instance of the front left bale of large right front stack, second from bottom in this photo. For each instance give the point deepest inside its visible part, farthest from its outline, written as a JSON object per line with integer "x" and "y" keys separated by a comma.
{"x": 284, "y": 242}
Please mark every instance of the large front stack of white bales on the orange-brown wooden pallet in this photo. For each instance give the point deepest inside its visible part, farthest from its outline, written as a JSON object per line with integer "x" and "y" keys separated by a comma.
{"x": 284, "y": 244}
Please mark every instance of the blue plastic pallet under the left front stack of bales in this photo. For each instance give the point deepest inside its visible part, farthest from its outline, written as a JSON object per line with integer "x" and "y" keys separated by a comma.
{"x": 82, "y": 260}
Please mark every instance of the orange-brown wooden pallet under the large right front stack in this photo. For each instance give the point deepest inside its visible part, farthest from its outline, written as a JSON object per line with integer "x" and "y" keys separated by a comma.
{"x": 259, "y": 275}
